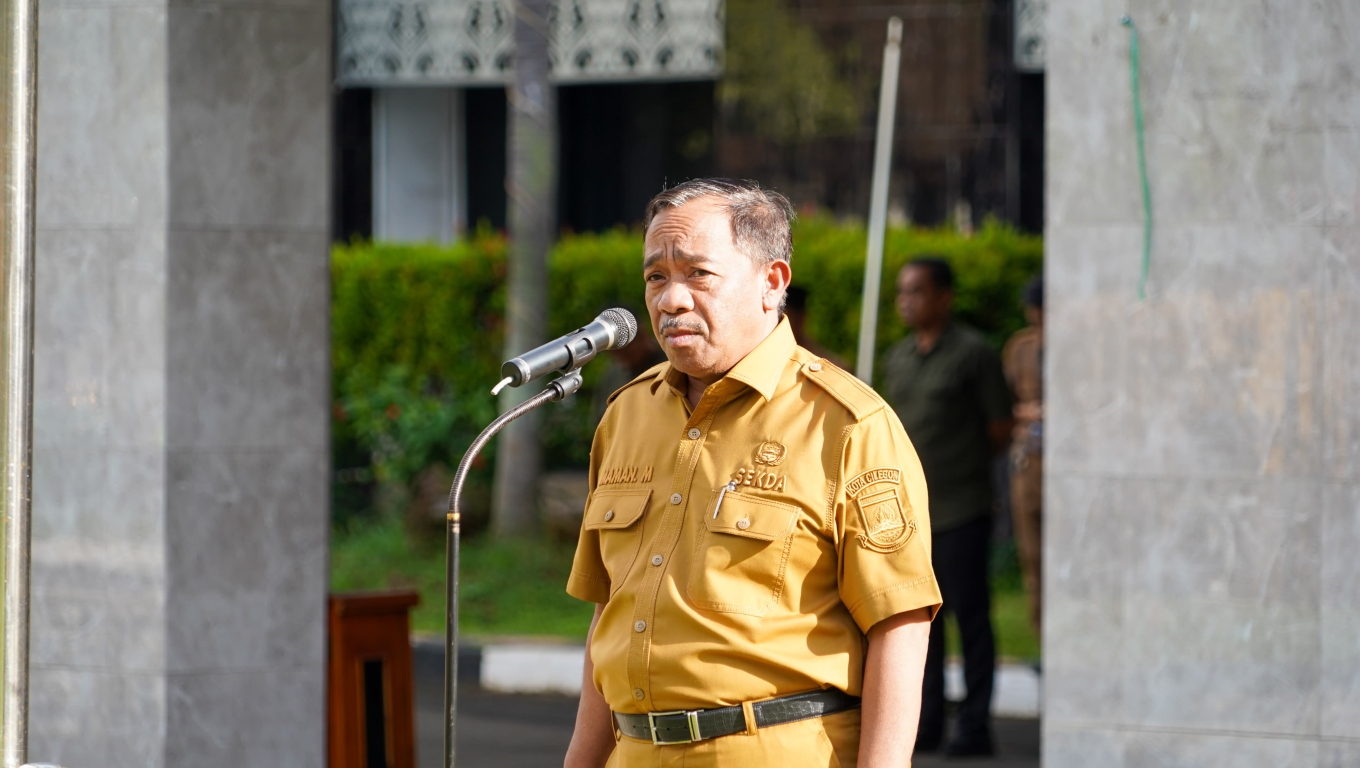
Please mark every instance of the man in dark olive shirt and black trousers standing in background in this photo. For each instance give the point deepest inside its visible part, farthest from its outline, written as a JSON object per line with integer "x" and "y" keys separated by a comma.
{"x": 949, "y": 389}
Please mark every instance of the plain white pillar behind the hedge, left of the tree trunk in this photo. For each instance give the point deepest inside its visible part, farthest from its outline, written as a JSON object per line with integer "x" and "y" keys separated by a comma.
{"x": 418, "y": 165}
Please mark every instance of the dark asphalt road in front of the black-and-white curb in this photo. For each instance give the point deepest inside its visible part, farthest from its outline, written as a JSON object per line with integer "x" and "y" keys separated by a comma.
{"x": 532, "y": 732}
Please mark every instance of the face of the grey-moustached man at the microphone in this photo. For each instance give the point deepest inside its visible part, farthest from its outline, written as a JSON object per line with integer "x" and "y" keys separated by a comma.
{"x": 711, "y": 304}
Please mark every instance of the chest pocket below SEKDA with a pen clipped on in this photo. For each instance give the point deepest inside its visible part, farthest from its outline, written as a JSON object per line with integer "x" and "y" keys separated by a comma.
{"x": 743, "y": 554}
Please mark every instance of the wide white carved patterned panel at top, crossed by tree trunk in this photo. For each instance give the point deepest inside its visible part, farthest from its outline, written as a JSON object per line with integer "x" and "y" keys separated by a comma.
{"x": 470, "y": 43}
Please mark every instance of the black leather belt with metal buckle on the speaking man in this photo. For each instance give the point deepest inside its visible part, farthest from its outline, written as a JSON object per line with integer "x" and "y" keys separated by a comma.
{"x": 685, "y": 727}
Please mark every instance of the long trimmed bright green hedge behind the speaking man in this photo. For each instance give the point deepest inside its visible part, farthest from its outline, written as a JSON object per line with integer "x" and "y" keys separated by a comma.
{"x": 417, "y": 330}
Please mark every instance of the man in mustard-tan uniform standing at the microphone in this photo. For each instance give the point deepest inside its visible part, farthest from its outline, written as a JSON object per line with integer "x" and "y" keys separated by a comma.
{"x": 757, "y": 536}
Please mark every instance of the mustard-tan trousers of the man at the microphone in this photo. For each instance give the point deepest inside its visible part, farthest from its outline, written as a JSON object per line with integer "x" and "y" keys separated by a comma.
{"x": 822, "y": 743}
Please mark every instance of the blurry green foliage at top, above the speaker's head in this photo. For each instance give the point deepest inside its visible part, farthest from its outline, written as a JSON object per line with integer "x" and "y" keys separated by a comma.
{"x": 780, "y": 81}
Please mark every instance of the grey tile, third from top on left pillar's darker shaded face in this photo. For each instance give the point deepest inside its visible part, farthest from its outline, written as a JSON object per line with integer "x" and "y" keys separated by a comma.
{"x": 248, "y": 540}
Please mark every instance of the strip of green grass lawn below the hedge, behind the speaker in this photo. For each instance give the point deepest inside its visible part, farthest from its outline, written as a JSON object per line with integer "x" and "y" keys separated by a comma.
{"x": 517, "y": 588}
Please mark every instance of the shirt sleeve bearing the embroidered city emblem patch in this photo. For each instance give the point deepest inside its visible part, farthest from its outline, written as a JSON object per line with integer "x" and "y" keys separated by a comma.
{"x": 883, "y": 524}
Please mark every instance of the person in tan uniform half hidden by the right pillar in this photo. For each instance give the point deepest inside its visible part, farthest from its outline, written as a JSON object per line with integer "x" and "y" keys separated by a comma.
{"x": 1023, "y": 364}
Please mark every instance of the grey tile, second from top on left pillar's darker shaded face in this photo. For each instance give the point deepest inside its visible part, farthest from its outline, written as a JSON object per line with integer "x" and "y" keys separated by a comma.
{"x": 250, "y": 358}
